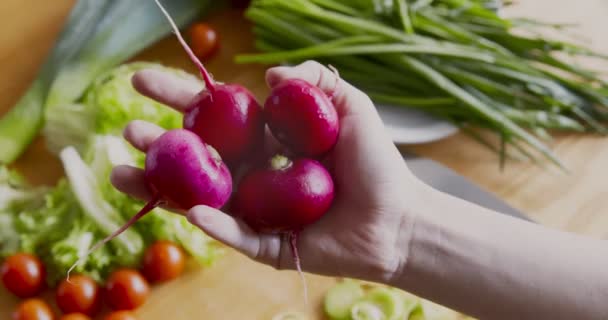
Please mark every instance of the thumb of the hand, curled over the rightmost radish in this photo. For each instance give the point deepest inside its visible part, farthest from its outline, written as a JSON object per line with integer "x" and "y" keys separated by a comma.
{"x": 347, "y": 99}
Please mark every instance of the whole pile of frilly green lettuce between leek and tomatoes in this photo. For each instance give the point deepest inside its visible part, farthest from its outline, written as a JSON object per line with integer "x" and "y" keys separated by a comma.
{"x": 61, "y": 223}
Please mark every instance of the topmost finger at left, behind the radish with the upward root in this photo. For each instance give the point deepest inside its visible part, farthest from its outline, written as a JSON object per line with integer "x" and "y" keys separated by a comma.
{"x": 166, "y": 88}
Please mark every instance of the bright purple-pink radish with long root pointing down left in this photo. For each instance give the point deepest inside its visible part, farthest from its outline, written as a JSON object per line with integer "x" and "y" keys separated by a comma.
{"x": 183, "y": 171}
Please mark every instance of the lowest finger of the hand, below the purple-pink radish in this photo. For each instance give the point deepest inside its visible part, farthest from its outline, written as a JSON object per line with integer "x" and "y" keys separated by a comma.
{"x": 236, "y": 234}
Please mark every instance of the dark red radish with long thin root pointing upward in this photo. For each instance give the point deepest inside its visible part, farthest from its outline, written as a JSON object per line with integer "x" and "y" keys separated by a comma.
{"x": 226, "y": 116}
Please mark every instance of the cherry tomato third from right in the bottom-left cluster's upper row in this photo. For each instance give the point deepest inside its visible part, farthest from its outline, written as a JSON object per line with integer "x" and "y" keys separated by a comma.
{"x": 81, "y": 294}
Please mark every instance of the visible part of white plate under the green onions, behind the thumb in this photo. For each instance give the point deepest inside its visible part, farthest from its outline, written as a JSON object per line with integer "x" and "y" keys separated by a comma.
{"x": 408, "y": 126}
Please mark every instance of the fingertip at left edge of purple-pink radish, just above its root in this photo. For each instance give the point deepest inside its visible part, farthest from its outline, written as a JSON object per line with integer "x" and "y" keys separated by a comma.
{"x": 131, "y": 181}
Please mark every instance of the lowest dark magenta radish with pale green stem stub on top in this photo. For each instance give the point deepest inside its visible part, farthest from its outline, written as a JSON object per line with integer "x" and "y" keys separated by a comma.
{"x": 286, "y": 196}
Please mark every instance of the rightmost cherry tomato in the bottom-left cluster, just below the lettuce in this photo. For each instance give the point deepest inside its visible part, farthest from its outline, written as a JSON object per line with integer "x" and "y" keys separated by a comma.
{"x": 163, "y": 261}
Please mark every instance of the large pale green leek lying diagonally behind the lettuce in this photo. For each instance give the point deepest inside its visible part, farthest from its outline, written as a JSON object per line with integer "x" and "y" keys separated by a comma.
{"x": 98, "y": 35}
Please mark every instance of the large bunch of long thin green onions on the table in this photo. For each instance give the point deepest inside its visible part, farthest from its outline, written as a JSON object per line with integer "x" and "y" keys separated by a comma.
{"x": 455, "y": 59}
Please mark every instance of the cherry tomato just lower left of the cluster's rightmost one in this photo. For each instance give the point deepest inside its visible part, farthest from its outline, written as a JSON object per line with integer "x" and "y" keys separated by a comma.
{"x": 126, "y": 289}
